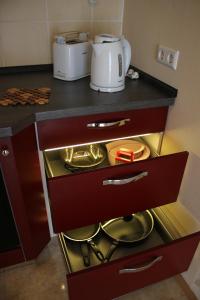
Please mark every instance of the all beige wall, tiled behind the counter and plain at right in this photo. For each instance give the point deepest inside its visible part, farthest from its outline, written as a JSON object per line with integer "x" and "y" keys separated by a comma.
{"x": 27, "y": 28}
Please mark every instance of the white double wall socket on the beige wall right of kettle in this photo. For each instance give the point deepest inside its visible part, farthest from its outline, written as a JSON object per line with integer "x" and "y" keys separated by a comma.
{"x": 167, "y": 56}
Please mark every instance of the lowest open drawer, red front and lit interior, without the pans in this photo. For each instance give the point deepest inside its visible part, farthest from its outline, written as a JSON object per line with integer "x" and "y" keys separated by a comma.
{"x": 167, "y": 251}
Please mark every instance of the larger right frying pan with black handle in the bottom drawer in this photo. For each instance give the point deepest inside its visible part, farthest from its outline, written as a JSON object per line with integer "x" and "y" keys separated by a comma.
{"x": 128, "y": 230}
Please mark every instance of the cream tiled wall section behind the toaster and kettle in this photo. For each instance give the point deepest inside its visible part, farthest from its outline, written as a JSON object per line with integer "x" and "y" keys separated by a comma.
{"x": 27, "y": 27}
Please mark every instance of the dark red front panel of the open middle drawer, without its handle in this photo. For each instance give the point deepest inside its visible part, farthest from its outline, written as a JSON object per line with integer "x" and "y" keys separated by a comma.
{"x": 82, "y": 199}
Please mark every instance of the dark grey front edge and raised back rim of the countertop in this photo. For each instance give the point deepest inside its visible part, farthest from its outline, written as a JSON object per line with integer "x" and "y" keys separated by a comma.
{"x": 13, "y": 128}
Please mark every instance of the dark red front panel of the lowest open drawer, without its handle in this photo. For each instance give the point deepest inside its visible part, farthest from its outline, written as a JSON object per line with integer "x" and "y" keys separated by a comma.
{"x": 105, "y": 282}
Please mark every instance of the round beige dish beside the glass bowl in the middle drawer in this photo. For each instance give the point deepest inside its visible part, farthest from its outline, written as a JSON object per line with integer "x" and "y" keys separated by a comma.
{"x": 140, "y": 151}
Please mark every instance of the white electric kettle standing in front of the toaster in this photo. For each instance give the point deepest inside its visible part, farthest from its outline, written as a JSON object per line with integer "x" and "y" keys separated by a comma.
{"x": 111, "y": 58}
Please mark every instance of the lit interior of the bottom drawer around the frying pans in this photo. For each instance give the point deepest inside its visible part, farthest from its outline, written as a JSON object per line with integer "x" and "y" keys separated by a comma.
{"x": 171, "y": 222}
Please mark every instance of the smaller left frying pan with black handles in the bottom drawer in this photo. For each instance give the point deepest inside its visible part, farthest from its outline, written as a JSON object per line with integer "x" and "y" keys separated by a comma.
{"x": 85, "y": 235}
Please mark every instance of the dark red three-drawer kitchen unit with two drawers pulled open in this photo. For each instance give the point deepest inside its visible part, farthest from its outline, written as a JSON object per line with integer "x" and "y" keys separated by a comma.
{"x": 91, "y": 196}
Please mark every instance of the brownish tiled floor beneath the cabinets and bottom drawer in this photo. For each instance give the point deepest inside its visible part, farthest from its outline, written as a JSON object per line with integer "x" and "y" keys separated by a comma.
{"x": 44, "y": 279}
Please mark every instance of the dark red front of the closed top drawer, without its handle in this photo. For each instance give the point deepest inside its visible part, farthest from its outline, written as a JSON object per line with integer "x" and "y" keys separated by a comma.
{"x": 74, "y": 130}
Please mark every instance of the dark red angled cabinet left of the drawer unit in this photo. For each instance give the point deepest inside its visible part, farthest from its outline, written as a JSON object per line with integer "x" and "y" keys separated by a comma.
{"x": 22, "y": 180}
